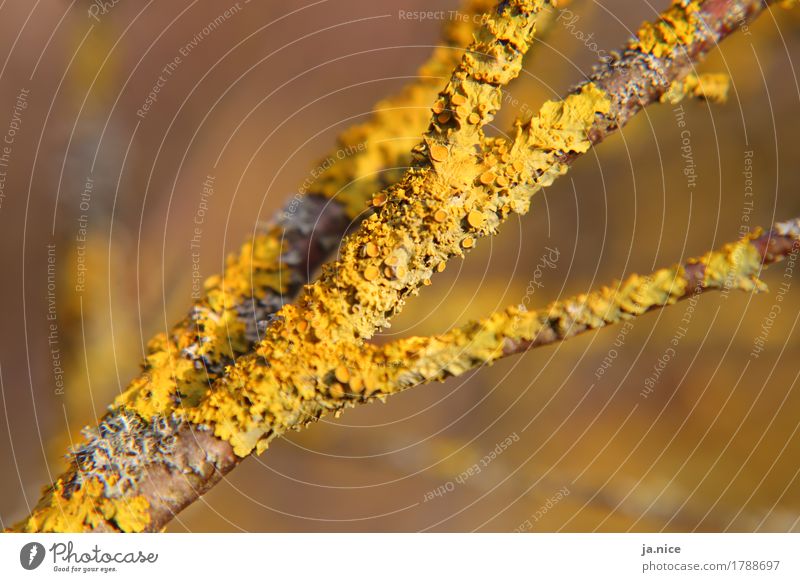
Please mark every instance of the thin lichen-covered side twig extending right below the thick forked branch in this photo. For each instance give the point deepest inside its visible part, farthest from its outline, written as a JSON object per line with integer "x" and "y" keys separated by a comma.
{"x": 409, "y": 362}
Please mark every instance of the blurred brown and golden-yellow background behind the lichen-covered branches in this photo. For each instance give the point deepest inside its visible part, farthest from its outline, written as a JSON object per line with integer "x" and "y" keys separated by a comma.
{"x": 713, "y": 447}
